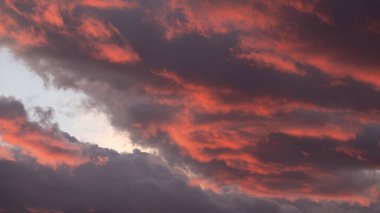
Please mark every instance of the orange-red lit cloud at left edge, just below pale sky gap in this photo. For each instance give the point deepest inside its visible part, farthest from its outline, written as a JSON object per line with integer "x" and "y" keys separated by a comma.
{"x": 47, "y": 145}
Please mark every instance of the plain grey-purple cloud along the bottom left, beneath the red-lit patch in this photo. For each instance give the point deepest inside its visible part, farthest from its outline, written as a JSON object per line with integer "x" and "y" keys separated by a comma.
{"x": 134, "y": 182}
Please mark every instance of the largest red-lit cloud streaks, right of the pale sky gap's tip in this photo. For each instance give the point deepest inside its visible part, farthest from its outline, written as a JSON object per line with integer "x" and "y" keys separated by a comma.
{"x": 232, "y": 141}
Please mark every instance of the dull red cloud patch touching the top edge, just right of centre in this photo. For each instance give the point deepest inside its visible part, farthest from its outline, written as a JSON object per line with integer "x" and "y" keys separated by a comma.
{"x": 208, "y": 18}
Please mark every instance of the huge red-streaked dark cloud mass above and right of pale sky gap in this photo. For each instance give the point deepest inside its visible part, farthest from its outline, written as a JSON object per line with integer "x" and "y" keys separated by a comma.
{"x": 277, "y": 98}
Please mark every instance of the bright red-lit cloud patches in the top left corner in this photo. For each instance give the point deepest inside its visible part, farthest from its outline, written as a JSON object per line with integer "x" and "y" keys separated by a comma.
{"x": 99, "y": 38}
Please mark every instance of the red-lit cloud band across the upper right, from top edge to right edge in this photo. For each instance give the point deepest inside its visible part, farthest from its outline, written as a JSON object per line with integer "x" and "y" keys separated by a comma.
{"x": 269, "y": 40}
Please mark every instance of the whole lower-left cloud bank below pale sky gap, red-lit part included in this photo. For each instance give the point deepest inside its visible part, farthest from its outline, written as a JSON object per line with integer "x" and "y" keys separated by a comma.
{"x": 106, "y": 182}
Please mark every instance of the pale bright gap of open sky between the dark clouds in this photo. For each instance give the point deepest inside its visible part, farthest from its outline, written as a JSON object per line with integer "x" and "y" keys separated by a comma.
{"x": 70, "y": 114}
